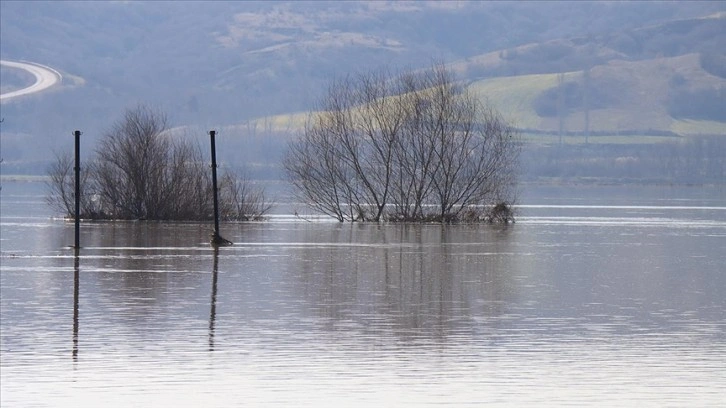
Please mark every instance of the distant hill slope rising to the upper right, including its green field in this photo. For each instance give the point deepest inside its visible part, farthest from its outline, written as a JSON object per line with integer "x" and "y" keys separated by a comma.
{"x": 639, "y": 81}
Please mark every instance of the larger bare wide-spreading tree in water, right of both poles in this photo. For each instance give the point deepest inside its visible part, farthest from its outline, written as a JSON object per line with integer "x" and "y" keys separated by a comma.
{"x": 409, "y": 147}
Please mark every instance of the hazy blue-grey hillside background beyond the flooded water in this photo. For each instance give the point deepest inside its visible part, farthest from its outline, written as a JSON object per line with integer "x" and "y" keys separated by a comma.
{"x": 604, "y": 91}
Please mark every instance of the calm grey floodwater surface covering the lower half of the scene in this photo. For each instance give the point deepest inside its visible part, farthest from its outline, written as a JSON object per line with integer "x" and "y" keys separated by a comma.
{"x": 597, "y": 296}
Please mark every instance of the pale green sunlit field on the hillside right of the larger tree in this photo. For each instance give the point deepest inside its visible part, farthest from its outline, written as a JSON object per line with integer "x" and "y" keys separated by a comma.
{"x": 639, "y": 95}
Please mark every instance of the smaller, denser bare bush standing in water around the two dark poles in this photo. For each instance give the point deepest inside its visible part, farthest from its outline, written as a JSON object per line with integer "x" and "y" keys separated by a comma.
{"x": 142, "y": 172}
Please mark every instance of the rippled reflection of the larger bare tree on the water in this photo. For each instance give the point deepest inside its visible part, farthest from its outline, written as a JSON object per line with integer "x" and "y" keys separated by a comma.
{"x": 415, "y": 279}
